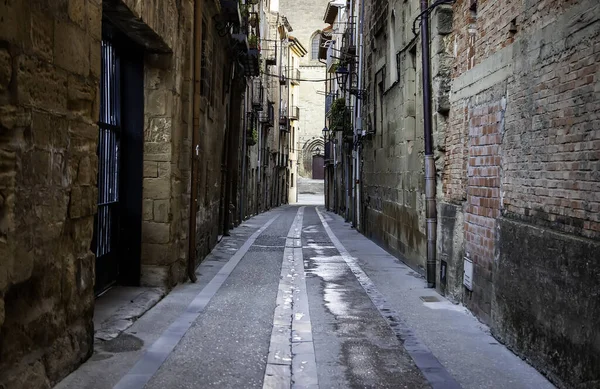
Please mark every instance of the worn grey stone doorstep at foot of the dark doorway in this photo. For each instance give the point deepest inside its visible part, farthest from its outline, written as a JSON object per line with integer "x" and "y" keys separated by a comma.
{"x": 119, "y": 307}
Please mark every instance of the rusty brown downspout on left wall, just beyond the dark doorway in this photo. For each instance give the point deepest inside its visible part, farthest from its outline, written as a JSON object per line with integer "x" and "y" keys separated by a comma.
{"x": 191, "y": 265}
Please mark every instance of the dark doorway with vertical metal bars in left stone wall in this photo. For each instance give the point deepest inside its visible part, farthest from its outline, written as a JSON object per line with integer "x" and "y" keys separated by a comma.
{"x": 117, "y": 232}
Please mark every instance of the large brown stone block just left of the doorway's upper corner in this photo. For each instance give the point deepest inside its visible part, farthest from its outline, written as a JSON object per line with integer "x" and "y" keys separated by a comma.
{"x": 71, "y": 48}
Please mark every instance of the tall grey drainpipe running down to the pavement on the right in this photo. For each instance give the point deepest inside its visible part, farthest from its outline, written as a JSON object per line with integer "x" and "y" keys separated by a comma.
{"x": 430, "y": 201}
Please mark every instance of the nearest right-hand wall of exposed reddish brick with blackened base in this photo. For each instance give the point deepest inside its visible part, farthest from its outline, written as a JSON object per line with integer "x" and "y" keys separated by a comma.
{"x": 522, "y": 160}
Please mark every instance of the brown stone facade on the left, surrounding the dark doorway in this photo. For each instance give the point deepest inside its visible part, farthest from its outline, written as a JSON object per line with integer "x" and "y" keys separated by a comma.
{"x": 190, "y": 130}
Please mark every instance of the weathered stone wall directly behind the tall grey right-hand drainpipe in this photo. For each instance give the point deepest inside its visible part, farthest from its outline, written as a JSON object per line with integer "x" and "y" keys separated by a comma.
{"x": 393, "y": 171}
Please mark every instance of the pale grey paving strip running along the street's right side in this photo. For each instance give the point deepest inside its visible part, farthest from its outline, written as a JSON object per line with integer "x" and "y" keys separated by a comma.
{"x": 435, "y": 373}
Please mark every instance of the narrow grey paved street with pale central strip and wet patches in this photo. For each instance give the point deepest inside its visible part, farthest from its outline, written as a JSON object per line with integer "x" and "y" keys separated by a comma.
{"x": 296, "y": 298}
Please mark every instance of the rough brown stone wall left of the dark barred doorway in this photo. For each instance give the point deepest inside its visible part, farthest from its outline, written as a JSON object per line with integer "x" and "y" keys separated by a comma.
{"x": 49, "y": 101}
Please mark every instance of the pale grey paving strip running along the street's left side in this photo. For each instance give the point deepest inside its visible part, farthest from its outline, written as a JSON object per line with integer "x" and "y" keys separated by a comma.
{"x": 158, "y": 352}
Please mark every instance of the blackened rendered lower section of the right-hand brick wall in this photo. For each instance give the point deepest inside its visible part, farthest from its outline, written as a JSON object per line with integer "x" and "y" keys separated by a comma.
{"x": 544, "y": 306}
